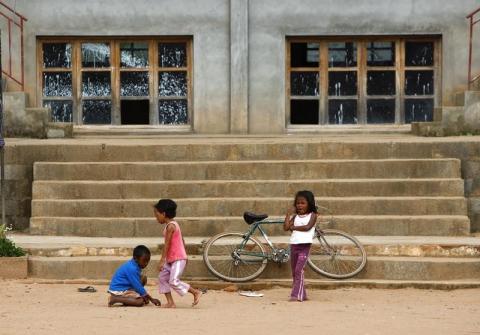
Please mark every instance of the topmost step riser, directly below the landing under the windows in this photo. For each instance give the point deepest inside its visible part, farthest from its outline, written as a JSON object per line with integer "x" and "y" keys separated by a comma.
{"x": 133, "y": 150}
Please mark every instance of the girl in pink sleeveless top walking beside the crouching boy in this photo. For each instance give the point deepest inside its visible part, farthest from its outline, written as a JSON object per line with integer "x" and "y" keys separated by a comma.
{"x": 174, "y": 256}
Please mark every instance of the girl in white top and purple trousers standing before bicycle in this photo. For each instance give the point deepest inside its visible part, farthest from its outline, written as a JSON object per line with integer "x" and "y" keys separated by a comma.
{"x": 300, "y": 220}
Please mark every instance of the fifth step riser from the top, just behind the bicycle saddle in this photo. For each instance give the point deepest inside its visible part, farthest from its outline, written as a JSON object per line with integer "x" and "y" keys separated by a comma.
{"x": 117, "y": 227}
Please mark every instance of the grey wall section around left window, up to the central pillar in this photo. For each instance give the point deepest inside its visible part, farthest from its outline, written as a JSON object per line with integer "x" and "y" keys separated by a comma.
{"x": 206, "y": 21}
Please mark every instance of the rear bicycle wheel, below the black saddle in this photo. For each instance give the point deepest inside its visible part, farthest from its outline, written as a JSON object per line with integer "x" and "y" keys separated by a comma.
{"x": 234, "y": 258}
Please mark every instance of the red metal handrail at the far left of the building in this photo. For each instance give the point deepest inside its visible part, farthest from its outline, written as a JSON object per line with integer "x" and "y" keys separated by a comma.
{"x": 7, "y": 12}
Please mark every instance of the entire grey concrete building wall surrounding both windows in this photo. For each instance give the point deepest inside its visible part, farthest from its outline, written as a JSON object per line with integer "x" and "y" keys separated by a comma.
{"x": 269, "y": 22}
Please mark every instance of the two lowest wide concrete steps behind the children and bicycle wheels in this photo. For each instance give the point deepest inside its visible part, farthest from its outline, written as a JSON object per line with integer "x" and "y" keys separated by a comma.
{"x": 389, "y": 258}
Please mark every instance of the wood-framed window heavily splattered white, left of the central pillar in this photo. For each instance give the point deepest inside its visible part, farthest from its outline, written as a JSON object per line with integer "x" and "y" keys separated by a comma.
{"x": 99, "y": 81}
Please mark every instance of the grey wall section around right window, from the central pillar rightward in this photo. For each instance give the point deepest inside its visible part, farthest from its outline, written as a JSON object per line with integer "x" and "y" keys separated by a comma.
{"x": 272, "y": 20}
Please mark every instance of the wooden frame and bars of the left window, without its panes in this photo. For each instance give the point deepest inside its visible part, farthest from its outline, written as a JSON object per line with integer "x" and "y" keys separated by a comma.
{"x": 115, "y": 69}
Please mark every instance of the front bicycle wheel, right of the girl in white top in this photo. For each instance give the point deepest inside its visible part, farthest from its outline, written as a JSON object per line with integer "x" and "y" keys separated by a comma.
{"x": 337, "y": 255}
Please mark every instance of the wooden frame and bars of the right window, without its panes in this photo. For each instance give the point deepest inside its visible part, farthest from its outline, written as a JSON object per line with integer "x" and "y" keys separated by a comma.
{"x": 361, "y": 68}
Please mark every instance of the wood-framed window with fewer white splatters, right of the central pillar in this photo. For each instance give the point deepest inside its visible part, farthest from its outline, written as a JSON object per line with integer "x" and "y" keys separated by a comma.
{"x": 361, "y": 80}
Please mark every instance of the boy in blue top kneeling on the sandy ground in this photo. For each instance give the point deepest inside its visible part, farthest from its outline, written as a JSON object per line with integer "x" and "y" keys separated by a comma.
{"x": 126, "y": 286}
